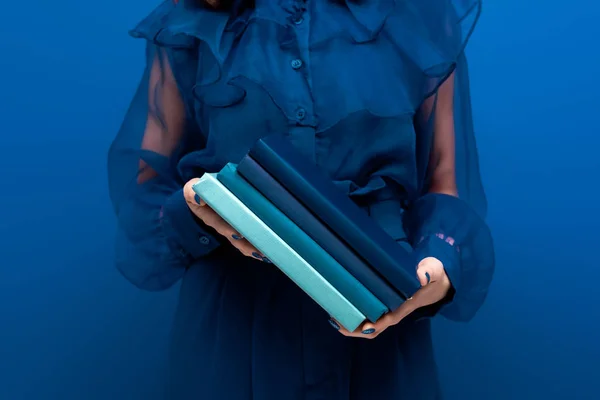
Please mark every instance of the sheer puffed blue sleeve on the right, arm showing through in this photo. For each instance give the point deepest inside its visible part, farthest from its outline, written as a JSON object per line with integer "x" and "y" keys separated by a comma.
{"x": 446, "y": 222}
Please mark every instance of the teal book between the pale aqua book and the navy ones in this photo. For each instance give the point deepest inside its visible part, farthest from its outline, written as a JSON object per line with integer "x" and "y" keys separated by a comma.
{"x": 306, "y": 247}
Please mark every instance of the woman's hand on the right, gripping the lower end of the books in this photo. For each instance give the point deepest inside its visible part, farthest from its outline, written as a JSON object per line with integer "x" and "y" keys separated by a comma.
{"x": 434, "y": 287}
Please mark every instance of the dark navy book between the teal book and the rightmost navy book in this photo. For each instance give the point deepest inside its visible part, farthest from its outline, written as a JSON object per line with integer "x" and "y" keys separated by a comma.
{"x": 319, "y": 232}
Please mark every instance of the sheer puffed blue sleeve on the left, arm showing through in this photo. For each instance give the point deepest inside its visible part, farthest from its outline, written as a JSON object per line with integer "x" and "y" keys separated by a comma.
{"x": 157, "y": 235}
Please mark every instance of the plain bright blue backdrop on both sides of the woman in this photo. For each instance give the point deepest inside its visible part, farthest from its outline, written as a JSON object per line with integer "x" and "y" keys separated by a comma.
{"x": 72, "y": 328}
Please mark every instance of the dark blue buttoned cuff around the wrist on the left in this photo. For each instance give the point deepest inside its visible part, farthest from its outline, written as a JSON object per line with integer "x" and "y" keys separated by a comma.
{"x": 183, "y": 231}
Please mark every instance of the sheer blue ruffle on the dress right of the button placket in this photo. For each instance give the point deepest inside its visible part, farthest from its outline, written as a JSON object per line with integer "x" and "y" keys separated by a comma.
{"x": 415, "y": 44}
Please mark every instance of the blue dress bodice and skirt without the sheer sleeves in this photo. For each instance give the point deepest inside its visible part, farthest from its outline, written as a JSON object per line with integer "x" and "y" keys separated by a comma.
{"x": 339, "y": 81}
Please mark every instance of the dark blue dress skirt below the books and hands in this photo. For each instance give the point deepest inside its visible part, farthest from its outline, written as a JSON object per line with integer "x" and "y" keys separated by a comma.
{"x": 243, "y": 331}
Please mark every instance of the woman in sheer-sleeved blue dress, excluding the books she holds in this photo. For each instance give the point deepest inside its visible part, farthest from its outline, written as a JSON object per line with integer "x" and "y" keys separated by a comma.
{"x": 376, "y": 93}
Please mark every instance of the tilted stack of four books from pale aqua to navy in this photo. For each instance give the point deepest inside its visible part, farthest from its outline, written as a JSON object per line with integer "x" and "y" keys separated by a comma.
{"x": 293, "y": 214}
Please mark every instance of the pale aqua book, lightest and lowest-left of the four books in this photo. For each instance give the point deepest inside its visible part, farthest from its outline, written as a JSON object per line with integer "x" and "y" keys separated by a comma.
{"x": 232, "y": 210}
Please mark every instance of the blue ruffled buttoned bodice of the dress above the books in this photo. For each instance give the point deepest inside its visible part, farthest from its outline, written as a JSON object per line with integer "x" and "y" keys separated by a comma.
{"x": 328, "y": 74}
